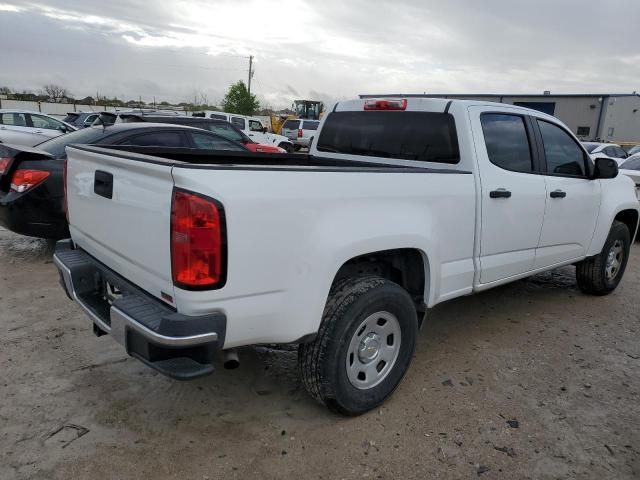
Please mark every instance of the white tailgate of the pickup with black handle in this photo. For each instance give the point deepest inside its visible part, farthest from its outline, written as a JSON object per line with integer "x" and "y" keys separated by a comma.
{"x": 119, "y": 212}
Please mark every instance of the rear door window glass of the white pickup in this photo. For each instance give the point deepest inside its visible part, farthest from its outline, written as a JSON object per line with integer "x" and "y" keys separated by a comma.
{"x": 507, "y": 141}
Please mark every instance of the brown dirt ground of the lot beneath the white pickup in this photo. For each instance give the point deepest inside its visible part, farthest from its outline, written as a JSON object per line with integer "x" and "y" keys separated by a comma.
{"x": 531, "y": 380}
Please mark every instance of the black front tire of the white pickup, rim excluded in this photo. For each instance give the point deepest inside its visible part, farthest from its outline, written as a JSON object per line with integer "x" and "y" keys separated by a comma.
{"x": 591, "y": 273}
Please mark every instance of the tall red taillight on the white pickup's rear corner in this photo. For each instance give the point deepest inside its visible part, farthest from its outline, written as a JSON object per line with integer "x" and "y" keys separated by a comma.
{"x": 198, "y": 244}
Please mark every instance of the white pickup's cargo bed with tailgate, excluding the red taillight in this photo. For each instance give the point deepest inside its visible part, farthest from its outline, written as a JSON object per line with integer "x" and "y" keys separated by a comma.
{"x": 290, "y": 221}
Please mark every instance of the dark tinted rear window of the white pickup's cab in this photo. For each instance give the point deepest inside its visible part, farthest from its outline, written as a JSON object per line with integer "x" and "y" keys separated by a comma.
{"x": 422, "y": 136}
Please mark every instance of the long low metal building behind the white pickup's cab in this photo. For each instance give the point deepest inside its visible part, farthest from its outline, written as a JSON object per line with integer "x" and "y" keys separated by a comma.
{"x": 609, "y": 117}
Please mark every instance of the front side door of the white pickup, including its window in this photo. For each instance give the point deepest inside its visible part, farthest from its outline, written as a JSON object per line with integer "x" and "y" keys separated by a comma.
{"x": 573, "y": 200}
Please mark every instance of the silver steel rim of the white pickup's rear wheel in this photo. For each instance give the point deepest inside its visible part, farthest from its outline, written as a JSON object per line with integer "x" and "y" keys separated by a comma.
{"x": 373, "y": 350}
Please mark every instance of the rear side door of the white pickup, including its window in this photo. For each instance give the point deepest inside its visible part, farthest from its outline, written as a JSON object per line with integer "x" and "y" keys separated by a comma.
{"x": 512, "y": 193}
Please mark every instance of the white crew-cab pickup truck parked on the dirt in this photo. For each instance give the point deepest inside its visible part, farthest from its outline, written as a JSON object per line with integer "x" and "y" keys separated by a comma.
{"x": 401, "y": 204}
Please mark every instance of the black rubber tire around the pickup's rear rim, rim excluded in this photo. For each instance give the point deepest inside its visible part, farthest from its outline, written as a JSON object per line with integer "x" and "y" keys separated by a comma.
{"x": 323, "y": 361}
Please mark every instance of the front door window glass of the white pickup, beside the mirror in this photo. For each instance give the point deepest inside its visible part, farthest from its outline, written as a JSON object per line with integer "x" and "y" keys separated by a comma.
{"x": 563, "y": 154}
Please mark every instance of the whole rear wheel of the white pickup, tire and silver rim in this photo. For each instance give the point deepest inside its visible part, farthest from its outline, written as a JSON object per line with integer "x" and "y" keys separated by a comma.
{"x": 363, "y": 347}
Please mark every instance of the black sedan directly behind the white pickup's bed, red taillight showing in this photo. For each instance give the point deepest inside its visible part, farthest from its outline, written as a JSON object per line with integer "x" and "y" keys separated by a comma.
{"x": 31, "y": 179}
